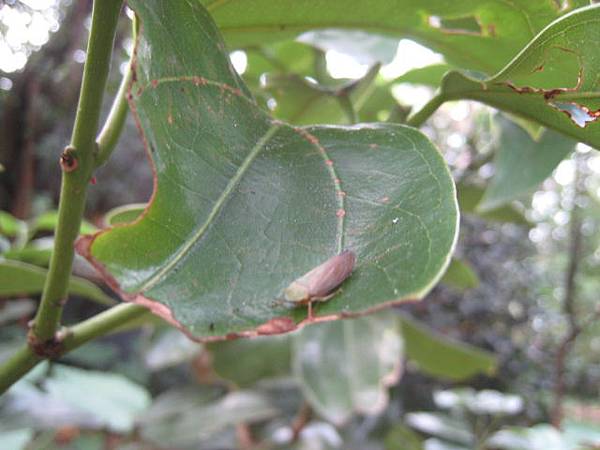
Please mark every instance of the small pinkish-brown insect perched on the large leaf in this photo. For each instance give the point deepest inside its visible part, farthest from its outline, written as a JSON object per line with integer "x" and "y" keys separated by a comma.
{"x": 317, "y": 284}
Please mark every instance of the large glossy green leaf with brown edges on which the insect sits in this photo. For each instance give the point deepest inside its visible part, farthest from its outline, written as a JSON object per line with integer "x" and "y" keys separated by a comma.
{"x": 244, "y": 205}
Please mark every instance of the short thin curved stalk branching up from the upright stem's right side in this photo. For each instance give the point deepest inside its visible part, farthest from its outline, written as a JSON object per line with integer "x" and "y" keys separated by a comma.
{"x": 109, "y": 135}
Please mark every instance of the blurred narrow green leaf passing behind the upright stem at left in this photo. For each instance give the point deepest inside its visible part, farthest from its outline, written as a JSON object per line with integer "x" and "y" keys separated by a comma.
{"x": 17, "y": 278}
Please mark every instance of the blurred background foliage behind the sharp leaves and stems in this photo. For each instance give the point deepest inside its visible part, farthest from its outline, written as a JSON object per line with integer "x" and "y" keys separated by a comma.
{"x": 505, "y": 345}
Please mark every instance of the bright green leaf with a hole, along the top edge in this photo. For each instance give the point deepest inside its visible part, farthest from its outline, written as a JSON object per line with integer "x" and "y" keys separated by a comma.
{"x": 475, "y": 34}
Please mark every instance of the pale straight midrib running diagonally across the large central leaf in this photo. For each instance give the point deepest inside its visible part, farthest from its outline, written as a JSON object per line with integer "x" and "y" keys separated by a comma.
{"x": 189, "y": 244}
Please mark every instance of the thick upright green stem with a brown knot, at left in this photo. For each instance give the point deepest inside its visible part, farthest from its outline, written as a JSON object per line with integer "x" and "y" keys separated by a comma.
{"x": 77, "y": 163}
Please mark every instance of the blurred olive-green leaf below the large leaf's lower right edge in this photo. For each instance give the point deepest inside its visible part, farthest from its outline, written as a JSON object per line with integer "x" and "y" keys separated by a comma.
{"x": 443, "y": 357}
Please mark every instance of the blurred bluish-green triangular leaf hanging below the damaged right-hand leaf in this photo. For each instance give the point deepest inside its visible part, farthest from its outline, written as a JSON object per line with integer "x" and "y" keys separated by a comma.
{"x": 522, "y": 163}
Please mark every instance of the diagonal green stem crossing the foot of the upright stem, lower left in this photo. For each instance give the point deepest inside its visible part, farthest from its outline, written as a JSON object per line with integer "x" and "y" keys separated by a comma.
{"x": 100, "y": 325}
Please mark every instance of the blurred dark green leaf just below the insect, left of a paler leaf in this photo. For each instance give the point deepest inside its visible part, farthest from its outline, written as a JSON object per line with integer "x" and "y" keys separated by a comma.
{"x": 247, "y": 361}
